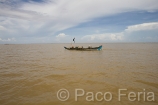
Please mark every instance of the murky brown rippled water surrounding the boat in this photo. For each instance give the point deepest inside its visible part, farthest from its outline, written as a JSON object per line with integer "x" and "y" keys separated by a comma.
{"x": 33, "y": 74}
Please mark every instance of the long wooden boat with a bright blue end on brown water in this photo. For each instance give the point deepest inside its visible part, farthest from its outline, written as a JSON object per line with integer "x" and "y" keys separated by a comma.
{"x": 84, "y": 49}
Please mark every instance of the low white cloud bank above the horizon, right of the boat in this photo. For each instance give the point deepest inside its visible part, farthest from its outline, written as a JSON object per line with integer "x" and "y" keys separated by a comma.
{"x": 137, "y": 32}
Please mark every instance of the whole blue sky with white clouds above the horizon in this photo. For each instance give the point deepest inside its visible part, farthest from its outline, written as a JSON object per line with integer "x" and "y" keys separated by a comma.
{"x": 59, "y": 21}
